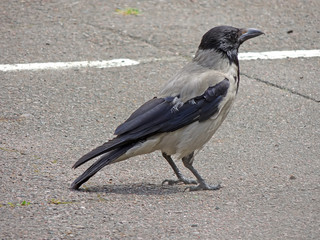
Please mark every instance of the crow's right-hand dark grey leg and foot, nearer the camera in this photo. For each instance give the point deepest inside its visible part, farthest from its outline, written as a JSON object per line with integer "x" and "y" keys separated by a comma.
{"x": 187, "y": 161}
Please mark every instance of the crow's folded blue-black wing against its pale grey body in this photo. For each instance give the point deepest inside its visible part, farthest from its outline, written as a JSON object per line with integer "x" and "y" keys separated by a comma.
{"x": 157, "y": 114}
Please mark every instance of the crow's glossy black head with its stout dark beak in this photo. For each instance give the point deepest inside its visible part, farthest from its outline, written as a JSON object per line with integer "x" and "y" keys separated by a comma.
{"x": 226, "y": 38}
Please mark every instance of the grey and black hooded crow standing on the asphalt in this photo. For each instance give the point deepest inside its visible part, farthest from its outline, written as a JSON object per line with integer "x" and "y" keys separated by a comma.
{"x": 185, "y": 115}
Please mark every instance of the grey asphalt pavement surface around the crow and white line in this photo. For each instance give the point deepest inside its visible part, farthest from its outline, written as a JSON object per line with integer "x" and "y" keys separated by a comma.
{"x": 266, "y": 154}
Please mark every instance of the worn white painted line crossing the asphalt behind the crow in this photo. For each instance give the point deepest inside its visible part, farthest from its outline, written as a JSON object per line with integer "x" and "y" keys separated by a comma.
{"x": 129, "y": 62}
